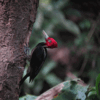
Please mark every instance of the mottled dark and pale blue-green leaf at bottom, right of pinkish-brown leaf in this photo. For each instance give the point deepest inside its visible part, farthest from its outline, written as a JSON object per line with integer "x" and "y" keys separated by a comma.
{"x": 72, "y": 91}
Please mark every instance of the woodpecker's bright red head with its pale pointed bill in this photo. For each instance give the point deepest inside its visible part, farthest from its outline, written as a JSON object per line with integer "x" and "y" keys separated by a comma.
{"x": 50, "y": 42}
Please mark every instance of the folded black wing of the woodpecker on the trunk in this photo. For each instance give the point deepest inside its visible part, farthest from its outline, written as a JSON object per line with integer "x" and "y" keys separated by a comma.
{"x": 37, "y": 59}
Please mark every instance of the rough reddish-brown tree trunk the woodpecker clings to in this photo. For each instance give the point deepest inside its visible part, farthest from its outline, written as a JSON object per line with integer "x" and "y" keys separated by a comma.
{"x": 16, "y": 19}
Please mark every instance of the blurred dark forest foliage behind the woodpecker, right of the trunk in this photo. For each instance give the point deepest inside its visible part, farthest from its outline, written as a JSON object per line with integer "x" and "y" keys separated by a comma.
{"x": 75, "y": 25}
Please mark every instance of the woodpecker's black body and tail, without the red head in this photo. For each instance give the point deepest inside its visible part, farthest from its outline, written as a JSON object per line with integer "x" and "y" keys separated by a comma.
{"x": 38, "y": 57}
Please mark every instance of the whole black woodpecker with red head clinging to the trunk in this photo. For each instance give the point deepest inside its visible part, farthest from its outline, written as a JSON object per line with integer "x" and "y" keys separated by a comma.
{"x": 38, "y": 57}
